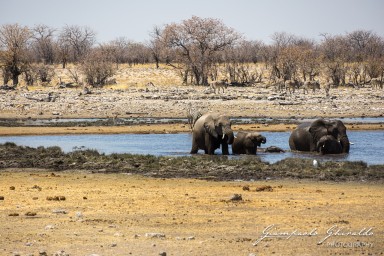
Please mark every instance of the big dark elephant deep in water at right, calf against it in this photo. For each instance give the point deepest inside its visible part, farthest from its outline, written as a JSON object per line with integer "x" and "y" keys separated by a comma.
{"x": 306, "y": 136}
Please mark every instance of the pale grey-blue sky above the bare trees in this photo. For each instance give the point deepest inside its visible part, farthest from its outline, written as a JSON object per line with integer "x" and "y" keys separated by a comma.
{"x": 254, "y": 19}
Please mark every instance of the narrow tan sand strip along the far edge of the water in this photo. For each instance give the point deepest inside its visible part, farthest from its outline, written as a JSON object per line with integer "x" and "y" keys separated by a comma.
{"x": 157, "y": 129}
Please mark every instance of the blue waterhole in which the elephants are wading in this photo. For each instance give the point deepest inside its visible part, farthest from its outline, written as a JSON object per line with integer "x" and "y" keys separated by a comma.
{"x": 367, "y": 145}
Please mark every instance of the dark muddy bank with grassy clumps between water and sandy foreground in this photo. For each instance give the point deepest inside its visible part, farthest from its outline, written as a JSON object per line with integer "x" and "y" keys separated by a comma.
{"x": 197, "y": 166}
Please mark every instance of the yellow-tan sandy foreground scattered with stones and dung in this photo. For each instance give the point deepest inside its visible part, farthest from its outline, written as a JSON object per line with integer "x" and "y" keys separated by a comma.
{"x": 120, "y": 214}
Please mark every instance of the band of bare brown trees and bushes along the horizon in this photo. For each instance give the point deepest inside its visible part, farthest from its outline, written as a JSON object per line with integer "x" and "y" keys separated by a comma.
{"x": 201, "y": 49}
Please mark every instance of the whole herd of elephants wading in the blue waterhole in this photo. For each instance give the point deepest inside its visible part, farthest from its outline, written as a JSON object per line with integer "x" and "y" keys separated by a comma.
{"x": 212, "y": 131}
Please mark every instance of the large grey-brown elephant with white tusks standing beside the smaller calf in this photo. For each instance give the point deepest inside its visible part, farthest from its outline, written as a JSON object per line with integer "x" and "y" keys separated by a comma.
{"x": 209, "y": 132}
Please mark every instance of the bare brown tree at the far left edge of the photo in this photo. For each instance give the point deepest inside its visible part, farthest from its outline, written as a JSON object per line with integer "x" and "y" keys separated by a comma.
{"x": 14, "y": 41}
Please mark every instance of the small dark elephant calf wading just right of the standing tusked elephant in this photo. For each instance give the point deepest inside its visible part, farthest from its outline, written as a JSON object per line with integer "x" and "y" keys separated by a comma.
{"x": 247, "y": 142}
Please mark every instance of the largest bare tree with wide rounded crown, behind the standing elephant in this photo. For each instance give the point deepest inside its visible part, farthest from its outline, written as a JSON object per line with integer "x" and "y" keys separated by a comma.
{"x": 196, "y": 42}
